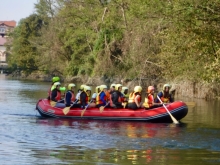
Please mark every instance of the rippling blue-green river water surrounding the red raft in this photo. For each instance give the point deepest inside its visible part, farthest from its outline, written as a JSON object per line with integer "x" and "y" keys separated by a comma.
{"x": 26, "y": 138}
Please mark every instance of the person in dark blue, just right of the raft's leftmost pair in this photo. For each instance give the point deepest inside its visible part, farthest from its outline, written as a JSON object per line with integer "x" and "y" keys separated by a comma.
{"x": 70, "y": 96}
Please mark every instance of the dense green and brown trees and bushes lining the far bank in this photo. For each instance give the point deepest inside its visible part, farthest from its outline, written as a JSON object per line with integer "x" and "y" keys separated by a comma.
{"x": 153, "y": 41}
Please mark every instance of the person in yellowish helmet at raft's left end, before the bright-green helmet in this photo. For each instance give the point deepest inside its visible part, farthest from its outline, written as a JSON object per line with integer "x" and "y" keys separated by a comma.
{"x": 56, "y": 95}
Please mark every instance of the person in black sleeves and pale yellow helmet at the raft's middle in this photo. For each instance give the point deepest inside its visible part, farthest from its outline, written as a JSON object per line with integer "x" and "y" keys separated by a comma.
{"x": 117, "y": 97}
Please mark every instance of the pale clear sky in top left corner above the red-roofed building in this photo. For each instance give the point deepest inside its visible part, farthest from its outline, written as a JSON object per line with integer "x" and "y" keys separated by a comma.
{"x": 16, "y": 9}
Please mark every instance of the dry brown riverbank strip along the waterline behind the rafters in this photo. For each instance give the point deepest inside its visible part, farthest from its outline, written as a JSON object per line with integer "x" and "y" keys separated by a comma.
{"x": 182, "y": 88}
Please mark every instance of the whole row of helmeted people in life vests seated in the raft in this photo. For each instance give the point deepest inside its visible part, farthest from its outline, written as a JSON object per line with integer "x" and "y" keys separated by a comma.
{"x": 115, "y": 97}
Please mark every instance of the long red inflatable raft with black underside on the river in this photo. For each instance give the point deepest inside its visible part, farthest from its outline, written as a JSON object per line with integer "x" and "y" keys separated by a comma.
{"x": 178, "y": 109}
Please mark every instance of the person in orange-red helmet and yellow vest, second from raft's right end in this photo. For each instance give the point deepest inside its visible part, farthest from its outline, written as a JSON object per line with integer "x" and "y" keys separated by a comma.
{"x": 149, "y": 99}
